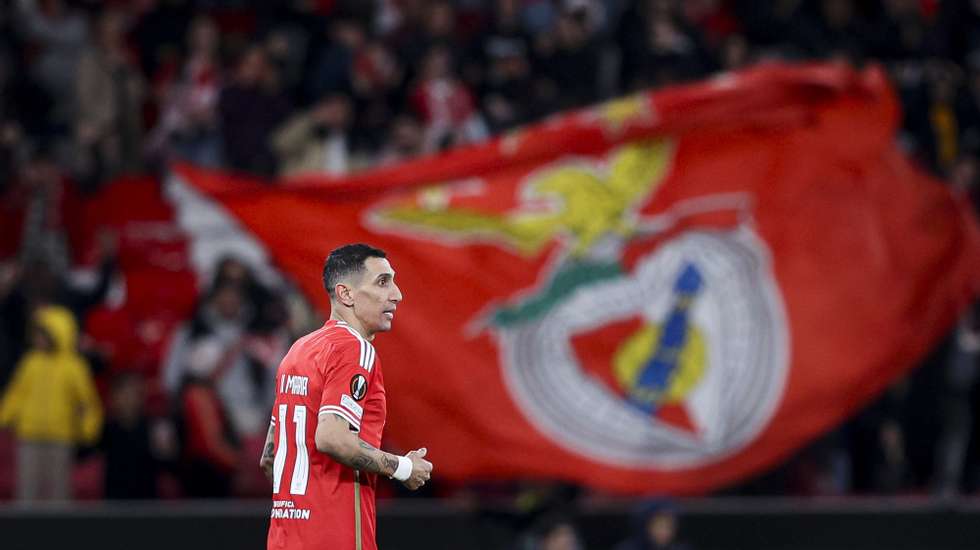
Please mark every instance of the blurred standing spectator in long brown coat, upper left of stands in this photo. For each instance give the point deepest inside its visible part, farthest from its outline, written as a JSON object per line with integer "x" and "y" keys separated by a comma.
{"x": 109, "y": 123}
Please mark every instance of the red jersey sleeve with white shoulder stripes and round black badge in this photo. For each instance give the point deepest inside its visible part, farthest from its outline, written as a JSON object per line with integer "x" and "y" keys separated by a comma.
{"x": 346, "y": 380}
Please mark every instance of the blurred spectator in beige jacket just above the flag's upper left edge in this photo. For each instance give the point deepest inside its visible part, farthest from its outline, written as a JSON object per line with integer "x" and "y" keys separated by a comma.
{"x": 317, "y": 140}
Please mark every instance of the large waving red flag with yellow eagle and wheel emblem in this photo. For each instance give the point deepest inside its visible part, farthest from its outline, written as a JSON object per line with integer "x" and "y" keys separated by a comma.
{"x": 664, "y": 293}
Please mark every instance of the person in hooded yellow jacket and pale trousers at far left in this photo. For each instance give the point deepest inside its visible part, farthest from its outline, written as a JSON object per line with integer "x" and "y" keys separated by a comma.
{"x": 51, "y": 405}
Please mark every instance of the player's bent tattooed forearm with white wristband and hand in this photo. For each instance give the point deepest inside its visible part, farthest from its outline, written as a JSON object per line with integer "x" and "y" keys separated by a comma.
{"x": 335, "y": 438}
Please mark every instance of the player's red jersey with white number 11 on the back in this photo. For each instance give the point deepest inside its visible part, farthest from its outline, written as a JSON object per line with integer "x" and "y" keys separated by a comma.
{"x": 317, "y": 502}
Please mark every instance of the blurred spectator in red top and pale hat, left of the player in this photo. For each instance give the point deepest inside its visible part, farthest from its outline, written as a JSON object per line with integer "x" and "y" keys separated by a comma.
{"x": 210, "y": 446}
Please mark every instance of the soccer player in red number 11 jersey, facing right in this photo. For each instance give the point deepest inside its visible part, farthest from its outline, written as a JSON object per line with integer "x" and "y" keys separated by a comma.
{"x": 321, "y": 452}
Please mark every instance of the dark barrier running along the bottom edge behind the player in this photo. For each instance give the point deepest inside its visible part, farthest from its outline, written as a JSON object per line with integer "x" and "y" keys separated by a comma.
{"x": 726, "y": 523}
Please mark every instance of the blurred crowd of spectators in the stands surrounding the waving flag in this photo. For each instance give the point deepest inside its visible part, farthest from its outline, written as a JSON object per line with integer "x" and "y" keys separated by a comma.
{"x": 93, "y": 90}
